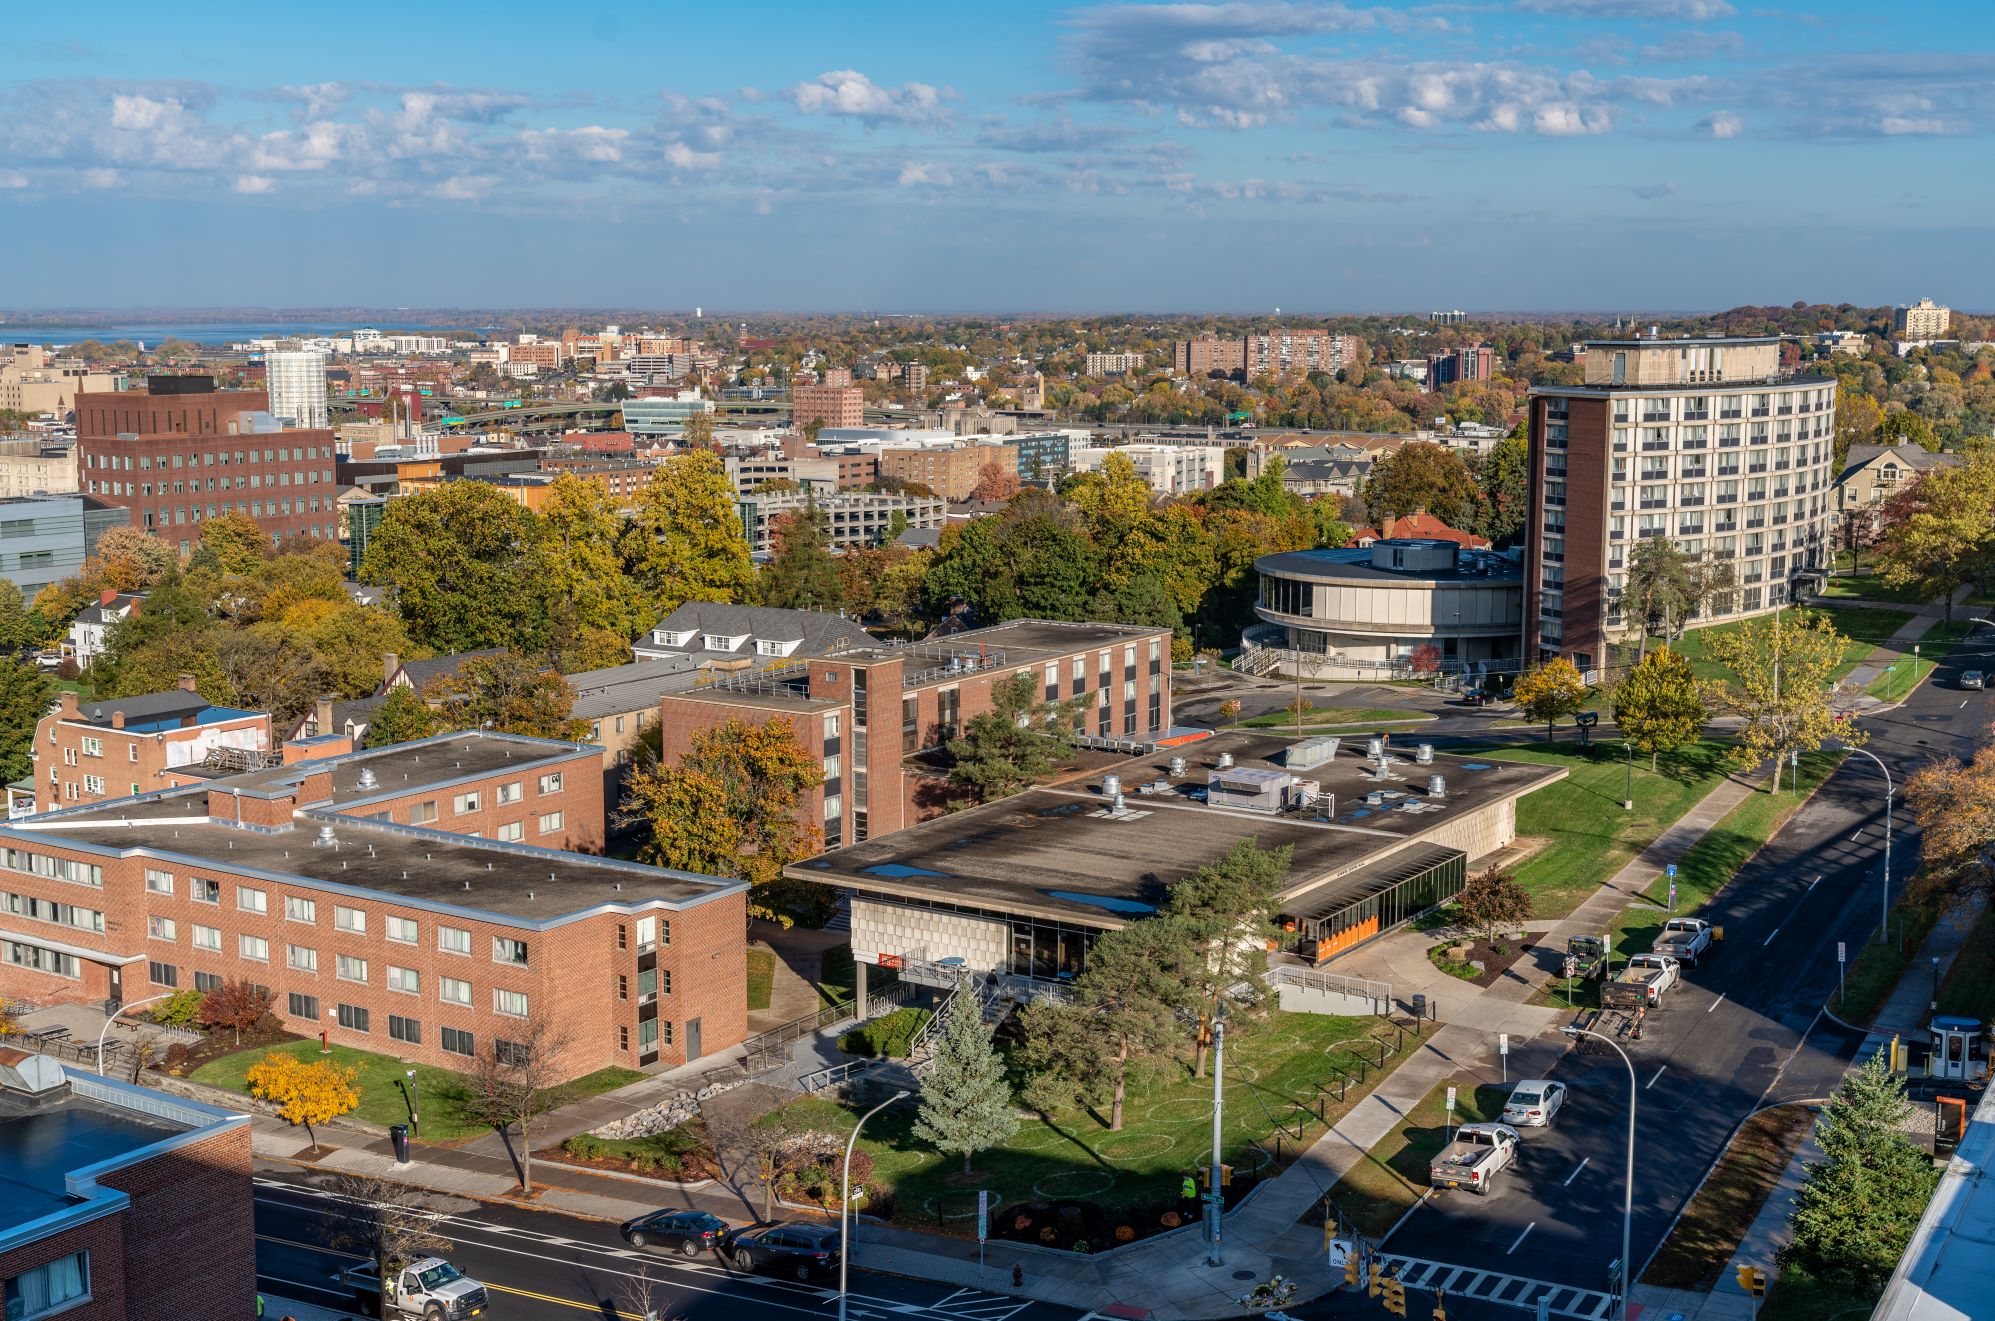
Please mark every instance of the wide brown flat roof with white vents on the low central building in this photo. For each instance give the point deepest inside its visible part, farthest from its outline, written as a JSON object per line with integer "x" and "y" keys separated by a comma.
{"x": 1056, "y": 853}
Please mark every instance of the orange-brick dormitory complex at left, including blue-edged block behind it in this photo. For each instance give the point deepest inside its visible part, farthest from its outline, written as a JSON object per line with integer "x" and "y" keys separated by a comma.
{"x": 422, "y": 899}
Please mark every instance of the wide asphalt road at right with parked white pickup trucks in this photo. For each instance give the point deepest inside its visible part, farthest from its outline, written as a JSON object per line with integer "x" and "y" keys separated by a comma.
{"x": 1743, "y": 1033}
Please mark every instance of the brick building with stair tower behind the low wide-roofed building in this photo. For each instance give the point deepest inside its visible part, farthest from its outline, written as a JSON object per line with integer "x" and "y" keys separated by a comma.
{"x": 869, "y": 711}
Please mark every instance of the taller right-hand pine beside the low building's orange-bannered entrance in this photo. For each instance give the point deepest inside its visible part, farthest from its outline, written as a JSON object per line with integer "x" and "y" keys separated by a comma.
{"x": 1226, "y": 921}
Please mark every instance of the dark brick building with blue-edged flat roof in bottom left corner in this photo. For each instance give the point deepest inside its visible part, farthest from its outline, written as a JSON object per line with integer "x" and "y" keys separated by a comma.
{"x": 123, "y": 1204}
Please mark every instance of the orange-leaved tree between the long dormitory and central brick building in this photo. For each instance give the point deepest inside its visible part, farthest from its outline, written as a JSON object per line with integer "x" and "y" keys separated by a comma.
{"x": 733, "y": 807}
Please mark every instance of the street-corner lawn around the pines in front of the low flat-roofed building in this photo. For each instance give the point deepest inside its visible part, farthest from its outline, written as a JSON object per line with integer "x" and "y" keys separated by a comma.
{"x": 1168, "y": 1124}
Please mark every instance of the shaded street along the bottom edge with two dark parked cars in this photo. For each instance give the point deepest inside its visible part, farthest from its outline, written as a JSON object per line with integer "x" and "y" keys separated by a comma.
{"x": 542, "y": 1266}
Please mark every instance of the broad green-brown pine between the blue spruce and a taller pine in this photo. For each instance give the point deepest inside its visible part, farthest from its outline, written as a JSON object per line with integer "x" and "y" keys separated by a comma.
{"x": 1124, "y": 1013}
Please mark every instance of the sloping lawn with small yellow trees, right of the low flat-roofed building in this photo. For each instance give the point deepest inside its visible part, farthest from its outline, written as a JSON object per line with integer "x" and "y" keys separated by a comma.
{"x": 1591, "y": 835}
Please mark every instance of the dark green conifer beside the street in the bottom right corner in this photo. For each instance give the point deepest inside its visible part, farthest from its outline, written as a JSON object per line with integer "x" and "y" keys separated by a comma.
{"x": 1862, "y": 1202}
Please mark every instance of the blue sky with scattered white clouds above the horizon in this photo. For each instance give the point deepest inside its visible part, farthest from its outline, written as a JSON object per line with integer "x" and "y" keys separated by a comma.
{"x": 1020, "y": 157}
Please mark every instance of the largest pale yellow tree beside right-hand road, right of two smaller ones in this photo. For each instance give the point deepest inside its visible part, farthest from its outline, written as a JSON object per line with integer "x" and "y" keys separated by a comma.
{"x": 1785, "y": 685}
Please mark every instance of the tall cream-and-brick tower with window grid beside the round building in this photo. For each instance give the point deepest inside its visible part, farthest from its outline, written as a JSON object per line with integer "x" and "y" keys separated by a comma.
{"x": 1703, "y": 442}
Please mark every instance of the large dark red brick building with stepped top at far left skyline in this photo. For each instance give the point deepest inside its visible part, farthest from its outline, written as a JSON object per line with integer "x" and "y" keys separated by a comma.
{"x": 181, "y": 452}
